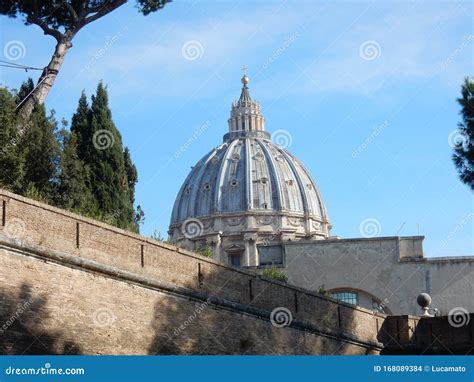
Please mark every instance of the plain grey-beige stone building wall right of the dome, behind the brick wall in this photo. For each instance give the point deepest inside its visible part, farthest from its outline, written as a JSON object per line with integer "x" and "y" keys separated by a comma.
{"x": 393, "y": 270}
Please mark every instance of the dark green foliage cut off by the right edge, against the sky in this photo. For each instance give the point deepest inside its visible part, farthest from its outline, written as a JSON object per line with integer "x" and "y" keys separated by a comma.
{"x": 463, "y": 155}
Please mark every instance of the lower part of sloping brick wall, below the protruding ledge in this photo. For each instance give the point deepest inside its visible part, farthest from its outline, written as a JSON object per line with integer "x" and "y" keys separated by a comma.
{"x": 71, "y": 311}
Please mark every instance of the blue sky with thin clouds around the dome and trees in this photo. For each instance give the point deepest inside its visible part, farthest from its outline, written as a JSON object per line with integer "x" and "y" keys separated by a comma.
{"x": 366, "y": 91}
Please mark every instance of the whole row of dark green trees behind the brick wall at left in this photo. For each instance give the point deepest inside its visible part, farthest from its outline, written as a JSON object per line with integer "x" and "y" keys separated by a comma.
{"x": 72, "y": 170}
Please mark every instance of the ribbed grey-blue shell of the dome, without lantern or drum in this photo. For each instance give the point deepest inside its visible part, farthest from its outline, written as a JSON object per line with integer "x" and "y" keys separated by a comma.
{"x": 248, "y": 174}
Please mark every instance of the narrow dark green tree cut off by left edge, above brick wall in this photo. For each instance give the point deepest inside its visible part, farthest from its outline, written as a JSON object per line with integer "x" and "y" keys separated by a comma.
{"x": 11, "y": 163}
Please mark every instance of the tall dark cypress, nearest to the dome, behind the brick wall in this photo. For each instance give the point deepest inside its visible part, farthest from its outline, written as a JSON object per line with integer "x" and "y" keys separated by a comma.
{"x": 111, "y": 173}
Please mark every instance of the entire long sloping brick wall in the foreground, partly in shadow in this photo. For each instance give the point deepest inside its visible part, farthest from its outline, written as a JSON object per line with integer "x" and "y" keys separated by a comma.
{"x": 76, "y": 271}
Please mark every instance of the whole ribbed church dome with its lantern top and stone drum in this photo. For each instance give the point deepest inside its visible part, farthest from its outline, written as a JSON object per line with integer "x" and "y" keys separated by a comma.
{"x": 246, "y": 191}
